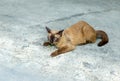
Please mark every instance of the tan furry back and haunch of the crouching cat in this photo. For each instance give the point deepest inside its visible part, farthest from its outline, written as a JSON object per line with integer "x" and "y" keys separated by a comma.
{"x": 78, "y": 33}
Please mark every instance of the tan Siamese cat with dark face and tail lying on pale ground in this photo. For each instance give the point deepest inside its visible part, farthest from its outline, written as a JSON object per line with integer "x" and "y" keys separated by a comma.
{"x": 78, "y": 34}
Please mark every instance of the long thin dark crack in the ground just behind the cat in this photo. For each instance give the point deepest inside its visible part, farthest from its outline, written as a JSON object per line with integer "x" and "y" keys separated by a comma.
{"x": 77, "y": 15}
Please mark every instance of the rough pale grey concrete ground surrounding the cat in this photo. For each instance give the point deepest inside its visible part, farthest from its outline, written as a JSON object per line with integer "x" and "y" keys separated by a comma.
{"x": 22, "y": 33}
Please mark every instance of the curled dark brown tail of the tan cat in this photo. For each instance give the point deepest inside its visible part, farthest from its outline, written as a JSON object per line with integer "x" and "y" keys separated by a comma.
{"x": 101, "y": 34}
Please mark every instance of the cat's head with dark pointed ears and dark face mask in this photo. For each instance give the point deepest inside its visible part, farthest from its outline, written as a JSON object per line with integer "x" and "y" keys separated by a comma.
{"x": 54, "y": 36}
